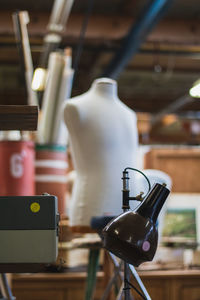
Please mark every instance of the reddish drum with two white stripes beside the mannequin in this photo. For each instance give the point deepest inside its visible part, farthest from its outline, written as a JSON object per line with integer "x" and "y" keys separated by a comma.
{"x": 51, "y": 170}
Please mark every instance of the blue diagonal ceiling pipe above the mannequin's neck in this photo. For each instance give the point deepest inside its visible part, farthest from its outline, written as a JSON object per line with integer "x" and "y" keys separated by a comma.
{"x": 150, "y": 16}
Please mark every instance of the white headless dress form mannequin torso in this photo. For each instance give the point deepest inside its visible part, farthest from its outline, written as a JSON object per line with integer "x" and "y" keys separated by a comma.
{"x": 104, "y": 140}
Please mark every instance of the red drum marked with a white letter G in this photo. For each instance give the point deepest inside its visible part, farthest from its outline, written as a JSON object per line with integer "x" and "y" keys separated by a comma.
{"x": 17, "y": 168}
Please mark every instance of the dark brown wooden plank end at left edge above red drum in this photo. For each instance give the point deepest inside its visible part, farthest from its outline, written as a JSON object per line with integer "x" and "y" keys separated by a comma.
{"x": 18, "y": 117}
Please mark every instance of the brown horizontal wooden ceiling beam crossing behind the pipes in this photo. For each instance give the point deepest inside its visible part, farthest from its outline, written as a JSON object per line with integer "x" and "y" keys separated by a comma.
{"x": 107, "y": 28}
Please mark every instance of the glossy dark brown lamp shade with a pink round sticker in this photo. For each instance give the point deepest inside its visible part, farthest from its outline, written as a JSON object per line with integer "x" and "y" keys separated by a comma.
{"x": 133, "y": 235}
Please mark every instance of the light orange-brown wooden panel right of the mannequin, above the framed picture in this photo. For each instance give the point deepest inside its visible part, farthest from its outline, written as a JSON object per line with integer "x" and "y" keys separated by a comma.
{"x": 182, "y": 164}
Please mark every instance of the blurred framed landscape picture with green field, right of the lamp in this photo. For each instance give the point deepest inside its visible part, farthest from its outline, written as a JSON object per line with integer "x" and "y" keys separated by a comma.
{"x": 182, "y": 219}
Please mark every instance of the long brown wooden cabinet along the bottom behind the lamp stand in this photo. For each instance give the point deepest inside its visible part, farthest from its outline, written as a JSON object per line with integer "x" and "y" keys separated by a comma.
{"x": 161, "y": 285}
